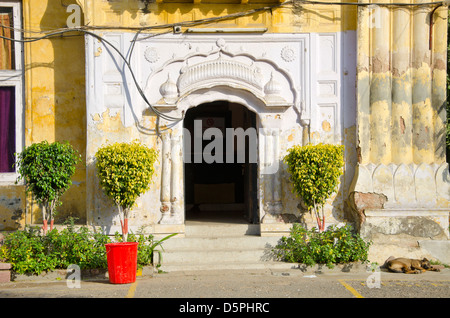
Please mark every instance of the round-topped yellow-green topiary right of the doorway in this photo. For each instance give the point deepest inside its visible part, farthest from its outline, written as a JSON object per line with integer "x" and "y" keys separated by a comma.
{"x": 314, "y": 171}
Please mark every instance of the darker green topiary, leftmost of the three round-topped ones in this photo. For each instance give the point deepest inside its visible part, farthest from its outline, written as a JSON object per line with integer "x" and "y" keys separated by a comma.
{"x": 47, "y": 170}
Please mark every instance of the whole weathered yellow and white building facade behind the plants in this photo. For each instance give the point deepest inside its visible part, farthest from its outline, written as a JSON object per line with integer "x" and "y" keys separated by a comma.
{"x": 371, "y": 77}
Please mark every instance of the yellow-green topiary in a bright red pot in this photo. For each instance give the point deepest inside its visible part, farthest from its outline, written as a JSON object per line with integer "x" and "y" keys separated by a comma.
{"x": 125, "y": 172}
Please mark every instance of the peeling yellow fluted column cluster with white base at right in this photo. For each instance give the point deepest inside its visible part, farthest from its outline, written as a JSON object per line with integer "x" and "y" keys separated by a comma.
{"x": 400, "y": 124}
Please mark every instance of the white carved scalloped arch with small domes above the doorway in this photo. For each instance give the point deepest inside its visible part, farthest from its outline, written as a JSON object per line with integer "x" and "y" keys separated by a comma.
{"x": 179, "y": 77}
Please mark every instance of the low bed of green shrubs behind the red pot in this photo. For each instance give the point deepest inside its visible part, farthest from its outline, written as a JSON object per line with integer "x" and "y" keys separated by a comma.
{"x": 31, "y": 252}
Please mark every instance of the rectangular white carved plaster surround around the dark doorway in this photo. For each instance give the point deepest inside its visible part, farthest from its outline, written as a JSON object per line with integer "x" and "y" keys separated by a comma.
{"x": 274, "y": 77}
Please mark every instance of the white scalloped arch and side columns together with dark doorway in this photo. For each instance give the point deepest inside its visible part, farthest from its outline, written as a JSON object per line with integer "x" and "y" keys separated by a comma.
{"x": 207, "y": 80}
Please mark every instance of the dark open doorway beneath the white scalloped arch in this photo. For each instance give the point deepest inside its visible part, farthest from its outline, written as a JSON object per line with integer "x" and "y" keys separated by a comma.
{"x": 220, "y": 169}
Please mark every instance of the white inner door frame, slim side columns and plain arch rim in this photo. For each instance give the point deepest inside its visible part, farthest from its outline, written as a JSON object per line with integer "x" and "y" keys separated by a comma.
{"x": 268, "y": 183}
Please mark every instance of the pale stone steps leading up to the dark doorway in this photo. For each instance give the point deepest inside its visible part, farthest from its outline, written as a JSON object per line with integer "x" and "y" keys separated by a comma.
{"x": 219, "y": 246}
